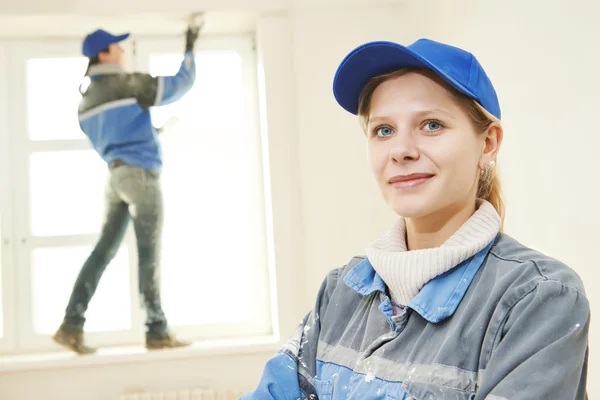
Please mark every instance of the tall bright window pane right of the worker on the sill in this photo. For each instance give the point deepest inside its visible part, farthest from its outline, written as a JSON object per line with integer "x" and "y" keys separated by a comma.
{"x": 211, "y": 196}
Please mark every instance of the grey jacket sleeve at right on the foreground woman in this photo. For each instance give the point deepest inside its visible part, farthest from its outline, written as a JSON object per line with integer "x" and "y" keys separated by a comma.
{"x": 542, "y": 348}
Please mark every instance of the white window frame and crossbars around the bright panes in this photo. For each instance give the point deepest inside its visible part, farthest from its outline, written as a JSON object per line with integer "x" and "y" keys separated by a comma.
{"x": 19, "y": 335}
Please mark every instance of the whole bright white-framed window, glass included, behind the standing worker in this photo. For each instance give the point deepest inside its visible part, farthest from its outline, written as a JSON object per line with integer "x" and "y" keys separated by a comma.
{"x": 214, "y": 261}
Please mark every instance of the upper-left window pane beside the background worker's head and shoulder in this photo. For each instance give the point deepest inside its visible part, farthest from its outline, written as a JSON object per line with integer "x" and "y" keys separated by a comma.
{"x": 53, "y": 97}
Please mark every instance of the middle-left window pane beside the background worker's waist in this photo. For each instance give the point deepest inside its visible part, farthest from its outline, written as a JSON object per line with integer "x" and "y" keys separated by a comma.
{"x": 66, "y": 192}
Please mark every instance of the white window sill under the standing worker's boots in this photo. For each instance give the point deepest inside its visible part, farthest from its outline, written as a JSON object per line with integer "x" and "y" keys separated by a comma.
{"x": 128, "y": 355}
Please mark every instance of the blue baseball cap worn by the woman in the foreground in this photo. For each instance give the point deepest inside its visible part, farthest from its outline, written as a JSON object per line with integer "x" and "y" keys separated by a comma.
{"x": 456, "y": 66}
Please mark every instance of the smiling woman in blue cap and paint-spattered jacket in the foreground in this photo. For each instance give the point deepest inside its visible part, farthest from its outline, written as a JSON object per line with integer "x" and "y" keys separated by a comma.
{"x": 444, "y": 305}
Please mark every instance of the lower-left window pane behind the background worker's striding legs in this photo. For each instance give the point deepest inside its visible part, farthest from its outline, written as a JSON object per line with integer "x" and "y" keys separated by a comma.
{"x": 54, "y": 271}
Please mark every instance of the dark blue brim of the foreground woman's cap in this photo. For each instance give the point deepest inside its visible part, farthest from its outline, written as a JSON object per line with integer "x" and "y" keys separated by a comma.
{"x": 374, "y": 59}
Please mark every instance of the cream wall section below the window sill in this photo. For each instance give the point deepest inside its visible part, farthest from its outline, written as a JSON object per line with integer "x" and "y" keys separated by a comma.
{"x": 107, "y": 382}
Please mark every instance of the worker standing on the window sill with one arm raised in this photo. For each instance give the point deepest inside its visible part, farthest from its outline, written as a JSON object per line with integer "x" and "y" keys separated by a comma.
{"x": 114, "y": 113}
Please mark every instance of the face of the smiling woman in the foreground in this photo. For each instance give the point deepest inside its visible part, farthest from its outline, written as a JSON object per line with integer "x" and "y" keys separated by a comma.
{"x": 422, "y": 147}
